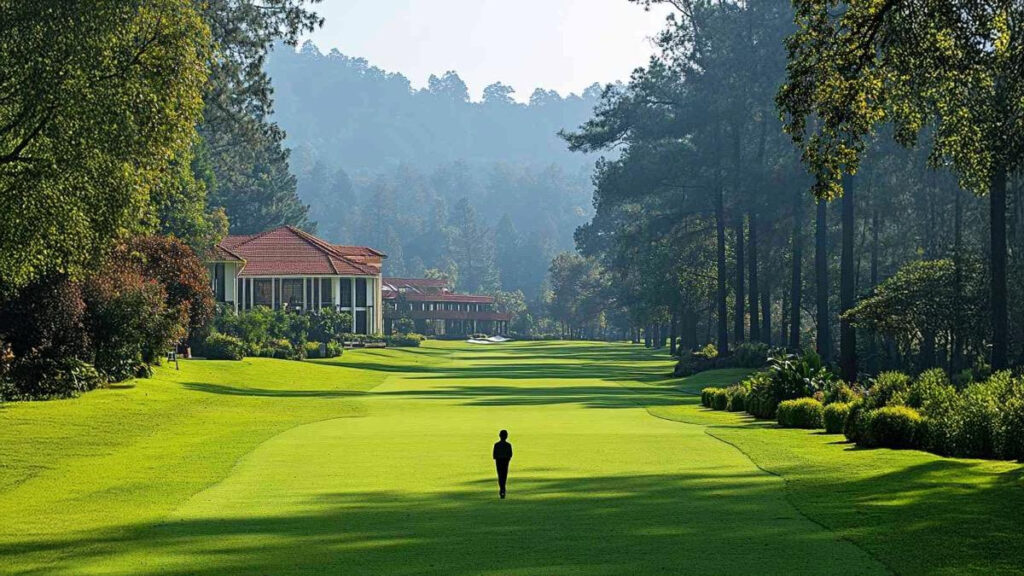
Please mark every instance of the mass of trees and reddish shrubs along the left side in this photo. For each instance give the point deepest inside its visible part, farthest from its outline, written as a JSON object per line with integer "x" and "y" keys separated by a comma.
{"x": 133, "y": 136}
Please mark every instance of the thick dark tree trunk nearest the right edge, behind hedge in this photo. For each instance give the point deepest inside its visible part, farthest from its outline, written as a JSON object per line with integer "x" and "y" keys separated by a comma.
{"x": 998, "y": 226}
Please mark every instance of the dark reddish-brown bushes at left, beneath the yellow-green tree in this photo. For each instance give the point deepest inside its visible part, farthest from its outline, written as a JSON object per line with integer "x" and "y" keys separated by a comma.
{"x": 65, "y": 337}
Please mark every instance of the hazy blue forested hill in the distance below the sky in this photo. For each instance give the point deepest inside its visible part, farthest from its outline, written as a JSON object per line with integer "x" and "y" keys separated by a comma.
{"x": 486, "y": 191}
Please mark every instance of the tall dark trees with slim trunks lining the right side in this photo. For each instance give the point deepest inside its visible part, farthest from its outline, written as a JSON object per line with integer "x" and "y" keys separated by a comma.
{"x": 707, "y": 230}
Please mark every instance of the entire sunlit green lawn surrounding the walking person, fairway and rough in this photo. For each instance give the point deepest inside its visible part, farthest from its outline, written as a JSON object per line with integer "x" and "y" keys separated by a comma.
{"x": 378, "y": 463}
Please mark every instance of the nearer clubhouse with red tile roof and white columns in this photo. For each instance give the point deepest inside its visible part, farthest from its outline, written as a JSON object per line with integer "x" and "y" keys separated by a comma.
{"x": 288, "y": 269}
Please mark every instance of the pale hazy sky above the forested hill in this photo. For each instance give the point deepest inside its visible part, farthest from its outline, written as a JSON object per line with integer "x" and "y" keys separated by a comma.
{"x": 556, "y": 45}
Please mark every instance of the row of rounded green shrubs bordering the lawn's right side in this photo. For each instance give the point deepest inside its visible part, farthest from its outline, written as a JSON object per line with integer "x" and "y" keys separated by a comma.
{"x": 985, "y": 420}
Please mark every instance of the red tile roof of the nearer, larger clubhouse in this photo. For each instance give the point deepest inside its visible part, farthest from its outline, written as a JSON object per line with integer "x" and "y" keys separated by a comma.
{"x": 289, "y": 252}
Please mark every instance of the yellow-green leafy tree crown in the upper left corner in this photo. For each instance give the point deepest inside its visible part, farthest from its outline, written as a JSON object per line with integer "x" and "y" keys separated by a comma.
{"x": 99, "y": 101}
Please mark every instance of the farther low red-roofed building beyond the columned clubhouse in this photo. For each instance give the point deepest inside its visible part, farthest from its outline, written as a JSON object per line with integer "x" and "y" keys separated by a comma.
{"x": 436, "y": 311}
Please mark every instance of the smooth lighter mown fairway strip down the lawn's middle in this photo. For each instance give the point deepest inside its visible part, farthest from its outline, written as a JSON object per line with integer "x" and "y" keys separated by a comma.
{"x": 599, "y": 486}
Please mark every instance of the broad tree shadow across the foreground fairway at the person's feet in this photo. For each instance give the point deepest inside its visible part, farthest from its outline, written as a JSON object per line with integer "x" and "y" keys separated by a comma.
{"x": 662, "y": 524}
